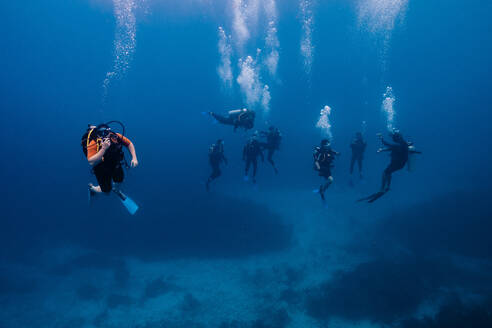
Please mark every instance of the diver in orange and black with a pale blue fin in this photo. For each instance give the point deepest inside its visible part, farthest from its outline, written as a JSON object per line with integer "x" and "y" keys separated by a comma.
{"x": 103, "y": 150}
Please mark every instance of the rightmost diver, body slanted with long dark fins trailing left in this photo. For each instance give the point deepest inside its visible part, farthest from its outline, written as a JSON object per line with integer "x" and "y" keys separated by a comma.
{"x": 400, "y": 151}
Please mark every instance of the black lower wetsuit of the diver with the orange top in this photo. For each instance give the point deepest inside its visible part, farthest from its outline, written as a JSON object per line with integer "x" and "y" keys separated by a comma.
{"x": 110, "y": 170}
